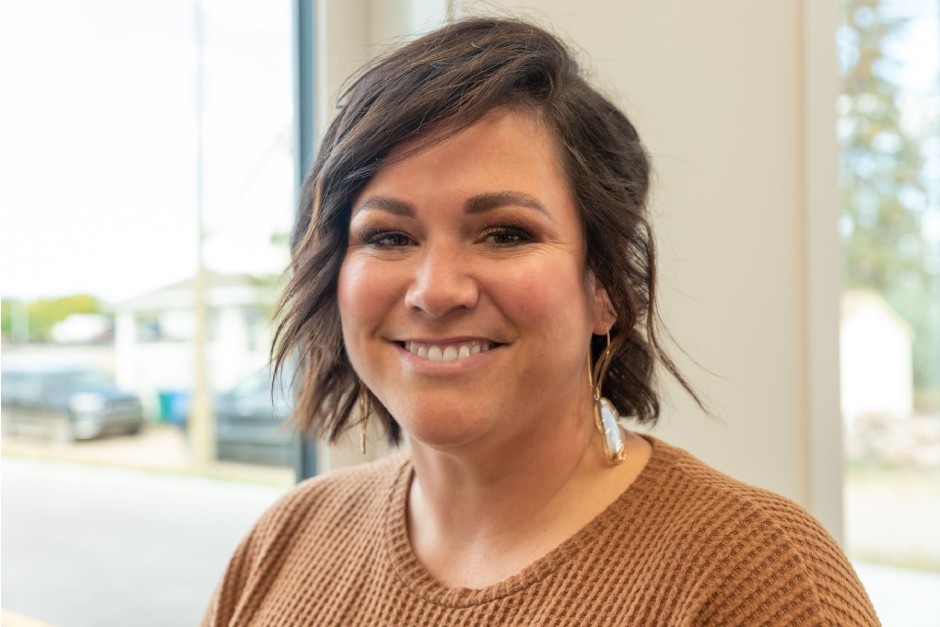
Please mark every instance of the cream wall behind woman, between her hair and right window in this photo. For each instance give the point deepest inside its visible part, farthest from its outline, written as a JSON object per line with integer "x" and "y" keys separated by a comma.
{"x": 735, "y": 100}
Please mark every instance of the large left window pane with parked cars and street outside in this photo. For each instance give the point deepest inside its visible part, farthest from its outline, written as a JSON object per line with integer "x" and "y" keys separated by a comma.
{"x": 113, "y": 141}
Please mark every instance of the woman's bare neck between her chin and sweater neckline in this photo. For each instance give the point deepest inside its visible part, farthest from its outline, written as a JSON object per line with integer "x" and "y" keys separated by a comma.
{"x": 479, "y": 515}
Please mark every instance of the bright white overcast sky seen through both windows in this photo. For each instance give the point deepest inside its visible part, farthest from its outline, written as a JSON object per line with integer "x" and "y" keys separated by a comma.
{"x": 98, "y": 139}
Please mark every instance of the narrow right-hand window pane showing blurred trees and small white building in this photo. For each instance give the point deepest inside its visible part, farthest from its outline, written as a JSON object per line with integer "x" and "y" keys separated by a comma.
{"x": 889, "y": 128}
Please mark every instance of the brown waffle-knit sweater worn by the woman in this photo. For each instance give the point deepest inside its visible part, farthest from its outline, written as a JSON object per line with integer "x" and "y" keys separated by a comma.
{"x": 683, "y": 545}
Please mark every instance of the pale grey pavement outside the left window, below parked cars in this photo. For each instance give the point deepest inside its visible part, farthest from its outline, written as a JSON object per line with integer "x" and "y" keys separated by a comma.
{"x": 100, "y": 547}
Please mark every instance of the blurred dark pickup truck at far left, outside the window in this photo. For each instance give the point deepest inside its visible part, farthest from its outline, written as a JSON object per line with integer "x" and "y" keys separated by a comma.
{"x": 66, "y": 403}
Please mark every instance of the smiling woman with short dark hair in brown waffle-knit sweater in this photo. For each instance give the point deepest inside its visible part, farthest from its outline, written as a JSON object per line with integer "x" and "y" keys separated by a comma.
{"x": 475, "y": 271}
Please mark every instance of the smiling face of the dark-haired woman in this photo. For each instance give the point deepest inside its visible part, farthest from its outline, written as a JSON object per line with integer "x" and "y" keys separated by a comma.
{"x": 465, "y": 304}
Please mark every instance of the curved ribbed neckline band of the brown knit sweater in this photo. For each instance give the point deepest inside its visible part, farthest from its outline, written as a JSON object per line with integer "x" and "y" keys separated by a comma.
{"x": 415, "y": 577}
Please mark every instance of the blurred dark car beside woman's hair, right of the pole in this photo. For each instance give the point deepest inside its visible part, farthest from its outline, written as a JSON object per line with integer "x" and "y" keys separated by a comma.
{"x": 250, "y": 422}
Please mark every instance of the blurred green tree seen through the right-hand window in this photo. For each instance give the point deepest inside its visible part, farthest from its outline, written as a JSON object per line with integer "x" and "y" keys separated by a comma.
{"x": 884, "y": 195}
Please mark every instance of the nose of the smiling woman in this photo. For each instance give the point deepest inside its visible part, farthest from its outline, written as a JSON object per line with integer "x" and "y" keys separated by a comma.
{"x": 443, "y": 283}
